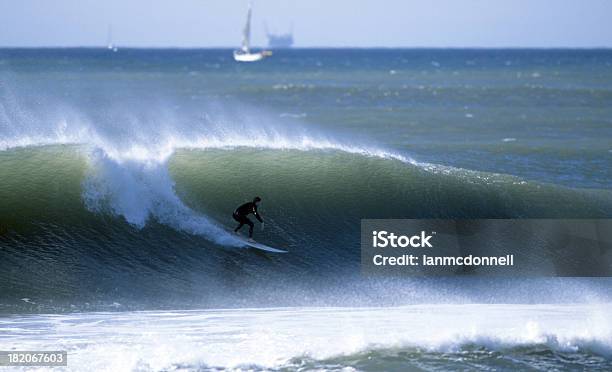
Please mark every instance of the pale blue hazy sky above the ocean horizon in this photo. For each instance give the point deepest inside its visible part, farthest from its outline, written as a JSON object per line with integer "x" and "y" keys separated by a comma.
{"x": 362, "y": 23}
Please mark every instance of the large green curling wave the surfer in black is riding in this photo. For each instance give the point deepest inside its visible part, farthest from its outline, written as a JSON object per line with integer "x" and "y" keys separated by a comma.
{"x": 79, "y": 220}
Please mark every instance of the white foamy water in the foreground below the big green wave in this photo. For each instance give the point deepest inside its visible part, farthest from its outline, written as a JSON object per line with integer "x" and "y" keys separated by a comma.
{"x": 423, "y": 337}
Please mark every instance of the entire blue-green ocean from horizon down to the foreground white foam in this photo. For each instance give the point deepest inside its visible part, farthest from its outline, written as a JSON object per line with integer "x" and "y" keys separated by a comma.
{"x": 119, "y": 172}
